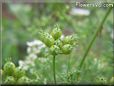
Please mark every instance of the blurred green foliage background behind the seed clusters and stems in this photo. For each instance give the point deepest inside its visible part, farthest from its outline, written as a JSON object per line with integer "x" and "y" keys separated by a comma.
{"x": 21, "y": 23}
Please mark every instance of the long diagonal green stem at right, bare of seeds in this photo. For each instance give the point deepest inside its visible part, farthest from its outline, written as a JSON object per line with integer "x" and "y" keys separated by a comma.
{"x": 94, "y": 37}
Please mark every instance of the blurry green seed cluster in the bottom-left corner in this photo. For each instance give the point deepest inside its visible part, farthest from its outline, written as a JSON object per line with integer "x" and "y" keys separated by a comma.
{"x": 14, "y": 75}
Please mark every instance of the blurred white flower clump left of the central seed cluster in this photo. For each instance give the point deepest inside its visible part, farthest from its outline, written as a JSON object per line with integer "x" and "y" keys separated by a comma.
{"x": 34, "y": 49}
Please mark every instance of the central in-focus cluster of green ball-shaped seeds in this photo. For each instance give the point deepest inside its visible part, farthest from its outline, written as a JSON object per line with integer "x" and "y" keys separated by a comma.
{"x": 54, "y": 42}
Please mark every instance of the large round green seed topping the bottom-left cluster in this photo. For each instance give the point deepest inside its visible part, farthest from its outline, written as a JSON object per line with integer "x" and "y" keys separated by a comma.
{"x": 9, "y": 68}
